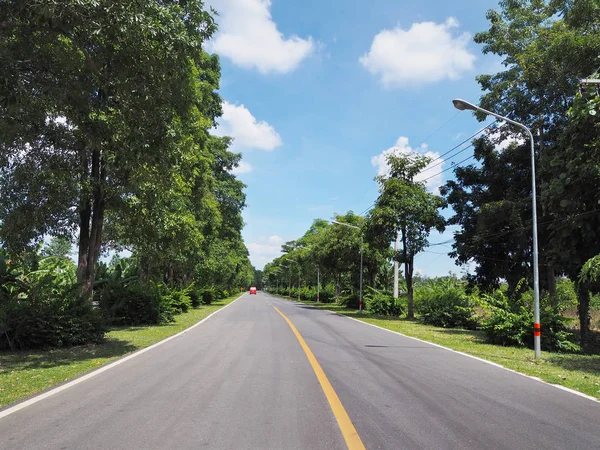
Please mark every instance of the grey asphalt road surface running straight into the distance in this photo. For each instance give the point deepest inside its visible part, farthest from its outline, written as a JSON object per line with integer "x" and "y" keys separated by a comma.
{"x": 241, "y": 380}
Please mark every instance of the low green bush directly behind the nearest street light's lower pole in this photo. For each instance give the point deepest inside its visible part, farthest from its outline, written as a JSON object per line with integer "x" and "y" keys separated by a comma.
{"x": 511, "y": 323}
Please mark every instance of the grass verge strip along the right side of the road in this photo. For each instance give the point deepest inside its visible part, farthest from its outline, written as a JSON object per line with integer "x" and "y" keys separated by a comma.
{"x": 576, "y": 371}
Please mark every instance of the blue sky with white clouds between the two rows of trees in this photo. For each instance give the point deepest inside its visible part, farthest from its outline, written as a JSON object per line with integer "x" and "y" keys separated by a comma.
{"x": 316, "y": 91}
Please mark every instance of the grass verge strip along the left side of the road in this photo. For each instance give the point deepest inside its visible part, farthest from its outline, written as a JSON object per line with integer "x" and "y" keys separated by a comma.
{"x": 25, "y": 373}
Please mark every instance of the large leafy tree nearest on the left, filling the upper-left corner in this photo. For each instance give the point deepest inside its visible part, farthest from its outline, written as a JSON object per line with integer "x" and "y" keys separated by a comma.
{"x": 97, "y": 89}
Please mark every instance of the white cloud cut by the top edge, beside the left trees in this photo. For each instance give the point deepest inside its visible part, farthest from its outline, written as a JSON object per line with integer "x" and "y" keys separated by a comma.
{"x": 249, "y": 37}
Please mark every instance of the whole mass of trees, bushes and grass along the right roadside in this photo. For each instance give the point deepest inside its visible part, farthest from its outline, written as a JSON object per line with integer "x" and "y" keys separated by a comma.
{"x": 547, "y": 48}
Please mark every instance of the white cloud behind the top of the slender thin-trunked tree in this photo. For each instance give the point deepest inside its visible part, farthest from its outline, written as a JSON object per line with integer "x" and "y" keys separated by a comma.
{"x": 431, "y": 174}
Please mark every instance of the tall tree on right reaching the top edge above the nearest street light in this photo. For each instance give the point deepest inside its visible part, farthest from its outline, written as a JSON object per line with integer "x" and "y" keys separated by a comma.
{"x": 547, "y": 47}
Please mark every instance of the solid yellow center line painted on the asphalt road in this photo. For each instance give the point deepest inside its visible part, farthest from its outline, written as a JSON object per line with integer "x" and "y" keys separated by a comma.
{"x": 350, "y": 434}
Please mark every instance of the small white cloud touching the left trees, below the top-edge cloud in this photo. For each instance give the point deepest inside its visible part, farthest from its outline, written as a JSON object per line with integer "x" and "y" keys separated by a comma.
{"x": 247, "y": 132}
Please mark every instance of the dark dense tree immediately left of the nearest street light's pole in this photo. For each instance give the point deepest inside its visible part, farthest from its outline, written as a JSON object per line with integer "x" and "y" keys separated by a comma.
{"x": 492, "y": 206}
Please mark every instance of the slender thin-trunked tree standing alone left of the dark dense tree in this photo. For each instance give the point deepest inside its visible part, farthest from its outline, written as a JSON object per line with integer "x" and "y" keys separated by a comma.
{"x": 404, "y": 206}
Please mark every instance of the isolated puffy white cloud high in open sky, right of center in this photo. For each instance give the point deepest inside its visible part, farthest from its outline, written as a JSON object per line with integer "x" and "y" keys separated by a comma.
{"x": 425, "y": 53}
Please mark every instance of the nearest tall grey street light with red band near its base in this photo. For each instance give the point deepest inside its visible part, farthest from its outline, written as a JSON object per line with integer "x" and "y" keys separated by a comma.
{"x": 463, "y": 105}
